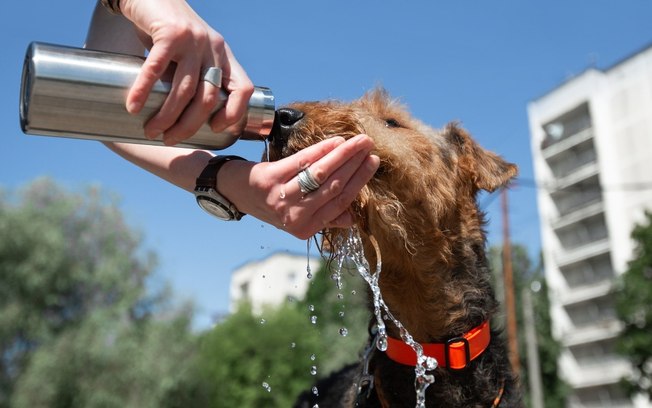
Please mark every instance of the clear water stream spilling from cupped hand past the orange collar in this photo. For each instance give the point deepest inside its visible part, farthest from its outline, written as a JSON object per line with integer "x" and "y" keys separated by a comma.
{"x": 350, "y": 248}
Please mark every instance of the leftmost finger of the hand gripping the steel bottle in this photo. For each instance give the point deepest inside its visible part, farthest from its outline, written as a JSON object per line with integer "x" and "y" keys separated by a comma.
{"x": 153, "y": 68}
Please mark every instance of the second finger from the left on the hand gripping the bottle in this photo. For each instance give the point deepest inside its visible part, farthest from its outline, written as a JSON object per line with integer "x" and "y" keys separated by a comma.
{"x": 184, "y": 85}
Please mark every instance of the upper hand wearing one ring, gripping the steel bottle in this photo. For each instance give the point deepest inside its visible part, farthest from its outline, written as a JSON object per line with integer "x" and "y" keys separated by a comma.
{"x": 176, "y": 34}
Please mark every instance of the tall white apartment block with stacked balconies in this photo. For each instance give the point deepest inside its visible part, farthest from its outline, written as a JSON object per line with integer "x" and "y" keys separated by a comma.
{"x": 592, "y": 150}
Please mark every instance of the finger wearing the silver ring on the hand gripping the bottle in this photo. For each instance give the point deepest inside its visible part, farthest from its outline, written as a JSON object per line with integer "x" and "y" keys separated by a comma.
{"x": 207, "y": 98}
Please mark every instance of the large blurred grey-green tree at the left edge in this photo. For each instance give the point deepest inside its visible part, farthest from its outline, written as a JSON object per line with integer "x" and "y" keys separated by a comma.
{"x": 77, "y": 325}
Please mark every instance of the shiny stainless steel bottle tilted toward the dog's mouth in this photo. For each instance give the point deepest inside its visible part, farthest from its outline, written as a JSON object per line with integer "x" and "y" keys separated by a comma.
{"x": 81, "y": 93}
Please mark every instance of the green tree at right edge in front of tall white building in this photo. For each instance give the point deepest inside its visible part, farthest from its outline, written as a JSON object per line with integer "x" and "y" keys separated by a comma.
{"x": 633, "y": 301}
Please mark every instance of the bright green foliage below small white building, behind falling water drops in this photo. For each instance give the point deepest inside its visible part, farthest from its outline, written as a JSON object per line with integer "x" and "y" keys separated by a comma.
{"x": 286, "y": 348}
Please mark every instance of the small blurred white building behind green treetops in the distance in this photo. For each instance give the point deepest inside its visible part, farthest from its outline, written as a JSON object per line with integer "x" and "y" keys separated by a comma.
{"x": 271, "y": 281}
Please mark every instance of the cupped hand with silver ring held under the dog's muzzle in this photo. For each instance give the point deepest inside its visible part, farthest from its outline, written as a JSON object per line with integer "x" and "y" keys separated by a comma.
{"x": 341, "y": 167}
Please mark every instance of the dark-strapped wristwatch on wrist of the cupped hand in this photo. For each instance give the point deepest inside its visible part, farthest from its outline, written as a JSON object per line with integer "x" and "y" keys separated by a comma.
{"x": 207, "y": 195}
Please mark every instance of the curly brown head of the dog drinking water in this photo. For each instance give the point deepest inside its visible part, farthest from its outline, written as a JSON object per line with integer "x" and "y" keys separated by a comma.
{"x": 427, "y": 180}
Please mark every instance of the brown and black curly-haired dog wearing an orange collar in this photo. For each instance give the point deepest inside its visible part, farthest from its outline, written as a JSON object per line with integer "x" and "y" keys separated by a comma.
{"x": 419, "y": 213}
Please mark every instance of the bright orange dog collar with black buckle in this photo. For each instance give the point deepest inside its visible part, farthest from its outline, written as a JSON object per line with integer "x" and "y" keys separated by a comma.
{"x": 457, "y": 353}
